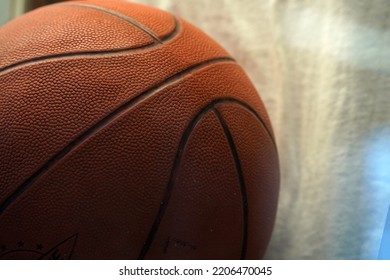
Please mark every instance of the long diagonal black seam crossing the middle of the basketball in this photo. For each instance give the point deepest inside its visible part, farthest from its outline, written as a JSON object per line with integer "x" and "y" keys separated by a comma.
{"x": 102, "y": 123}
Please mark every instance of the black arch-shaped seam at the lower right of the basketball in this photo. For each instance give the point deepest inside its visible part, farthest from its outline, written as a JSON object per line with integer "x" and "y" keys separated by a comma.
{"x": 172, "y": 179}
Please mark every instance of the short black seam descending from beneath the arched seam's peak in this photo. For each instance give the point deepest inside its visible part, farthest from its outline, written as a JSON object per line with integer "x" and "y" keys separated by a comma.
{"x": 241, "y": 180}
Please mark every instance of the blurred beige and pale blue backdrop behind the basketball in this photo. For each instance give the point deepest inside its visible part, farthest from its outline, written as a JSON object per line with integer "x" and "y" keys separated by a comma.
{"x": 322, "y": 69}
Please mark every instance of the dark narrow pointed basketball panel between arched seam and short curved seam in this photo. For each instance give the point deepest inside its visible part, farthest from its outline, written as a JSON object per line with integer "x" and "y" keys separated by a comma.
{"x": 204, "y": 199}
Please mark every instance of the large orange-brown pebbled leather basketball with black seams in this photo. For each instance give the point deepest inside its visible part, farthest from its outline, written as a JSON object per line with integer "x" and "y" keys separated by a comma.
{"x": 128, "y": 133}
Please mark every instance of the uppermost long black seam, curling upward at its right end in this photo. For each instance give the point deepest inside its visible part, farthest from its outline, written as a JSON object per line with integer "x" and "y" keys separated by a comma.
{"x": 90, "y": 53}
